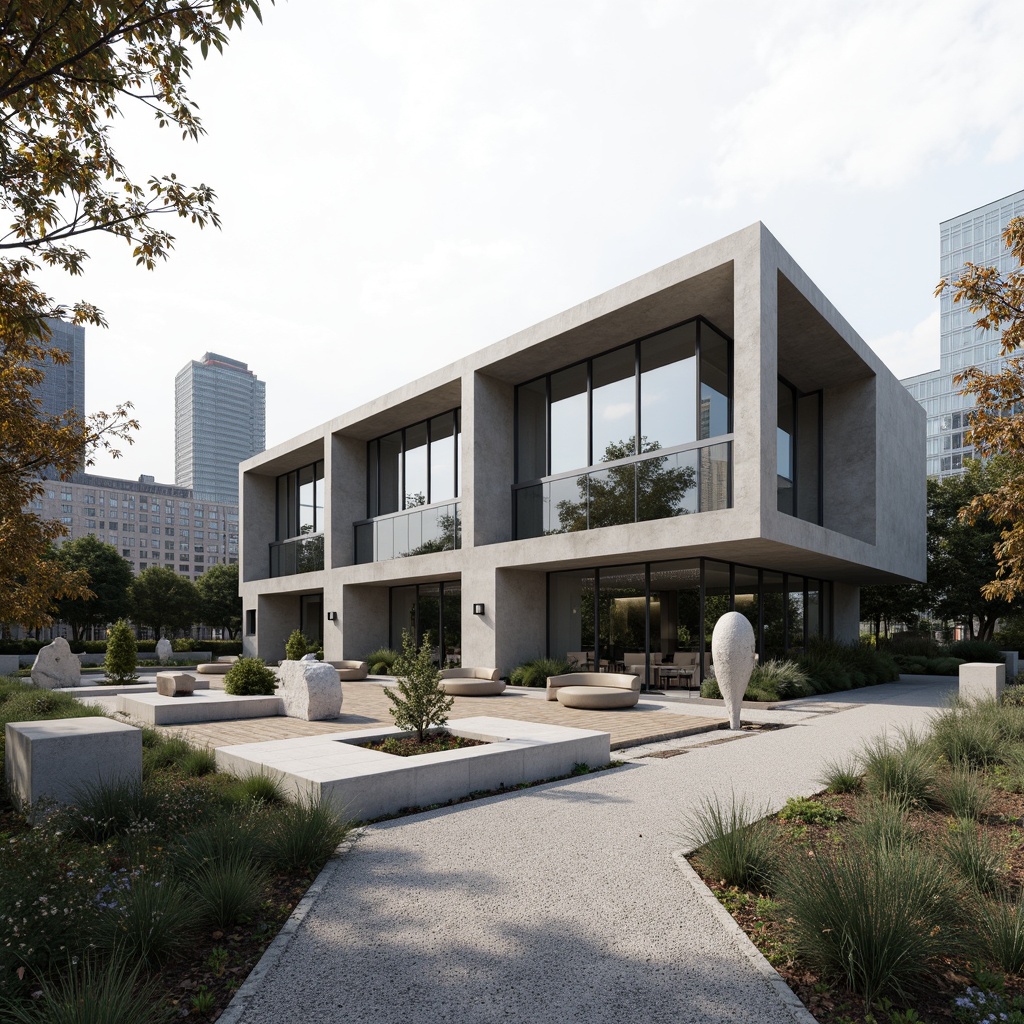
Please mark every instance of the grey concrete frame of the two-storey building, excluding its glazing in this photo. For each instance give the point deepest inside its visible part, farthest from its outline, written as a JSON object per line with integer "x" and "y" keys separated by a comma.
{"x": 872, "y": 527}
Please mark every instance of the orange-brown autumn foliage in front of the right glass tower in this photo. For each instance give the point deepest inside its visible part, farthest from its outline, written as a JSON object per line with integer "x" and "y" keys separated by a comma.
{"x": 997, "y": 423}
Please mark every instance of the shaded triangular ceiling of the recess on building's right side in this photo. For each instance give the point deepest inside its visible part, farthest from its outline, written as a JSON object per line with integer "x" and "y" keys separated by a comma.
{"x": 813, "y": 354}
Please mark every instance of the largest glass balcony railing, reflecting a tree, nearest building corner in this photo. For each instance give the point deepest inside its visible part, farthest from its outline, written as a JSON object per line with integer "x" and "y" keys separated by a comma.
{"x": 656, "y": 486}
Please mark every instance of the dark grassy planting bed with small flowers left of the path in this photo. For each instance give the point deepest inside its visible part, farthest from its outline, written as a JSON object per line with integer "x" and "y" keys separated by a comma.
{"x": 169, "y": 891}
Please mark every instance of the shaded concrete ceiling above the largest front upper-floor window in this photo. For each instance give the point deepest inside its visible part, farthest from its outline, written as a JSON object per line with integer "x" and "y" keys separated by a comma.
{"x": 709, "y": 294}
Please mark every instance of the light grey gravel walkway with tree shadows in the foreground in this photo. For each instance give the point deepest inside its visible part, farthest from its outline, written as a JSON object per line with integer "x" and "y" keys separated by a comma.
{"x": 563, "y": 904}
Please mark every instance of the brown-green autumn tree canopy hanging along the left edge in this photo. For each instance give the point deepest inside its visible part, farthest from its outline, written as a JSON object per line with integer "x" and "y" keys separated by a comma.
{"x": 68, "y": 72}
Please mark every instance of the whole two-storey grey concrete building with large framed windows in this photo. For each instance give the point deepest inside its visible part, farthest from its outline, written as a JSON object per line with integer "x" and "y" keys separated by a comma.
{"x": 713, "y": 435}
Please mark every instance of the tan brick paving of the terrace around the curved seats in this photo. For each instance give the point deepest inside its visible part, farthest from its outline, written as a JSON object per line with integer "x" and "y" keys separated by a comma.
{"x": 366, "y": 706}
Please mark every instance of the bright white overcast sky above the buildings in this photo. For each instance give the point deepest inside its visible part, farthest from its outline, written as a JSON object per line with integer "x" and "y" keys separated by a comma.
{"x": 404, "y": 184}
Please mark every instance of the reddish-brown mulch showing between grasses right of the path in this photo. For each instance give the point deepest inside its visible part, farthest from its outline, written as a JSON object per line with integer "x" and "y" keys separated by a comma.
{"x": 760, "y": 918}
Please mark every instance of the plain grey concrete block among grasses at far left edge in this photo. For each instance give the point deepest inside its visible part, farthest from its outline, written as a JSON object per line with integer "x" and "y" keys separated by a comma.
{"x": 56, "y": 760}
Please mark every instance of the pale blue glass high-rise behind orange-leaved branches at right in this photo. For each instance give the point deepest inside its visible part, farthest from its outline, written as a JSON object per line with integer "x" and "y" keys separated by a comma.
{"x": 975, "y": 237}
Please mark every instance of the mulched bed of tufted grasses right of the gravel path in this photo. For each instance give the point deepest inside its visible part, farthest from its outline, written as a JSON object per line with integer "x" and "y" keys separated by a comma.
{"x": 895, "y": 895}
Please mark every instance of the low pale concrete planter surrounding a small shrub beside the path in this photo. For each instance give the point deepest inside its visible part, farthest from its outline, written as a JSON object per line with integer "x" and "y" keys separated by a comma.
{"x": 362, "y": 784}
